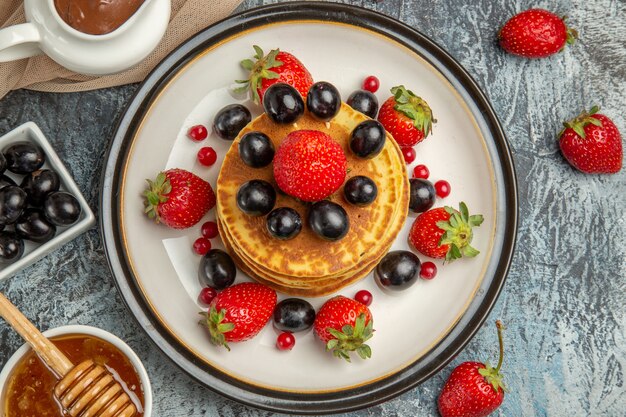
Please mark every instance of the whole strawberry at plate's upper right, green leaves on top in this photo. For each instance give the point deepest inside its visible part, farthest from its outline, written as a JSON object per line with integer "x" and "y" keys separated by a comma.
{"x": 406, "y": 116}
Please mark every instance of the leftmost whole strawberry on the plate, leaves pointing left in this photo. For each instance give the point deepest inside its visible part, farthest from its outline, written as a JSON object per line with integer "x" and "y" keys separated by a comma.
{"x": 178, "y": 198}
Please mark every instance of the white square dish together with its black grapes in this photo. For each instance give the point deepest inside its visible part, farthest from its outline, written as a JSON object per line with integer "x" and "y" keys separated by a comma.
{"x": 40, "y": 205}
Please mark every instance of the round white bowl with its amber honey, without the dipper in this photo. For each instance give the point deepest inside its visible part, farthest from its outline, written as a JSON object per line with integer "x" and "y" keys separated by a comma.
{"x": 27, "y": 385}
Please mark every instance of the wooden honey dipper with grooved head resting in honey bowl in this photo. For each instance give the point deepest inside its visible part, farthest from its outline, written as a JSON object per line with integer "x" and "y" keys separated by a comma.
{"x": 84, "y": 390}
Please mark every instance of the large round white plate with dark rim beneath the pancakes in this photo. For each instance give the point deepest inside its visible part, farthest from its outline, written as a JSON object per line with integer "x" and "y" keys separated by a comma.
{"x": 418, "y": 330}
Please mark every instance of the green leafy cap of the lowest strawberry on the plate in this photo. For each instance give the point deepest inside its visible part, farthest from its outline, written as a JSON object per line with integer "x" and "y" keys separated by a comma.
{"x": 351, "y": 339}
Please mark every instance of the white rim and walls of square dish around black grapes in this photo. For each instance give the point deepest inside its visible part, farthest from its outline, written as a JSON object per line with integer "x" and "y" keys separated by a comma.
{"x": 35, "y": 251}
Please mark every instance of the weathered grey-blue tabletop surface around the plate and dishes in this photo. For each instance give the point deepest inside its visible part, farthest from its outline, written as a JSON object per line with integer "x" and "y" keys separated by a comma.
{"x": 564, "y": 301}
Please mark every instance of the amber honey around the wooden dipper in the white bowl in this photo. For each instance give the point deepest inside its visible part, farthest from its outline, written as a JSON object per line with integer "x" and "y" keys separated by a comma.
{"x": 30, "y": 388}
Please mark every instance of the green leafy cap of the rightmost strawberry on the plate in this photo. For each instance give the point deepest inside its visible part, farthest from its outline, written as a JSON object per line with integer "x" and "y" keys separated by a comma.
{"x": 458, "y": 232}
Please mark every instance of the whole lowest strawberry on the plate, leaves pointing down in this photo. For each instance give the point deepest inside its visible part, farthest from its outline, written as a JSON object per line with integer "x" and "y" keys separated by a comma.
{"x": 344, "y": 325}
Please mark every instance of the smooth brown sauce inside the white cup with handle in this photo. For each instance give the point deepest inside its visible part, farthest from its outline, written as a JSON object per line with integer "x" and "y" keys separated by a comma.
{"x": 96, "y": 17}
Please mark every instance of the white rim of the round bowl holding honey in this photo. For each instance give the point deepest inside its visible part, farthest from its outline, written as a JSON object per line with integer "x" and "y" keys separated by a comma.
{"x": 91, "y": 331}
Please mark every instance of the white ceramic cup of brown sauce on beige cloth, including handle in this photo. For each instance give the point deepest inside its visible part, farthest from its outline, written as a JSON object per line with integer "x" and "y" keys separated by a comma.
{"x": 94, "y": 37}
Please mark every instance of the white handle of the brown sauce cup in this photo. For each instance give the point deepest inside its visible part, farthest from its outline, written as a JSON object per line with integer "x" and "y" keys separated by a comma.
{"x": 19, "y": 41}
